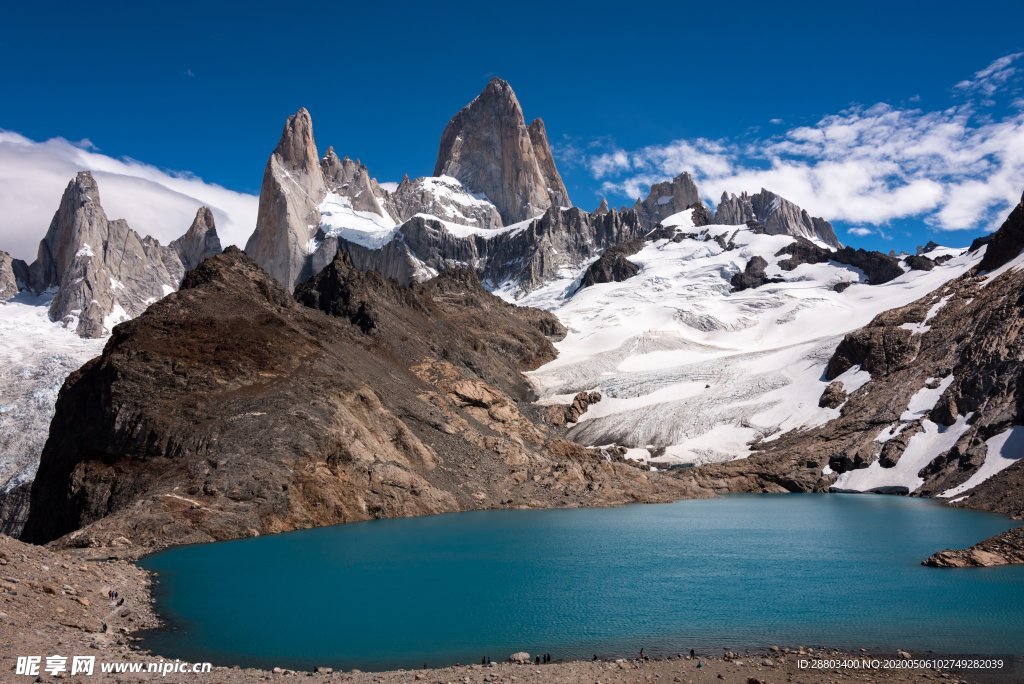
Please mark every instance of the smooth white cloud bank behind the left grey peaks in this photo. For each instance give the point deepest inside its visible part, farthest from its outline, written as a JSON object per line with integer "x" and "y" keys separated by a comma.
{"x": 33, "y": 177}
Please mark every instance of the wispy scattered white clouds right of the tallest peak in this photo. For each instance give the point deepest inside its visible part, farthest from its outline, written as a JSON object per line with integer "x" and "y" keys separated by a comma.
{"x": 867, "y": 165}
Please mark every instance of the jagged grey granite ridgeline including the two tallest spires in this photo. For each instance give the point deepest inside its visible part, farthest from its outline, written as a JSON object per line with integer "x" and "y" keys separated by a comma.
{"x": 493, "y": 170}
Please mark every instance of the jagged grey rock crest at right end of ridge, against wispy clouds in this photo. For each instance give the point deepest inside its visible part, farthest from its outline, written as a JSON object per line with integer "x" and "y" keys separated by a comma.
{"x": 777, "y": 216}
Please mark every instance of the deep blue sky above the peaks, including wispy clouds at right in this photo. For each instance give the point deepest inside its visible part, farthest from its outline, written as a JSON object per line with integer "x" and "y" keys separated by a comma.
{"x": 785, "y": 95}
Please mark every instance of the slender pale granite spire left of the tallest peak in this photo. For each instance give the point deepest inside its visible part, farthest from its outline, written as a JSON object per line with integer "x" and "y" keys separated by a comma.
{"x": 290, "y": 196}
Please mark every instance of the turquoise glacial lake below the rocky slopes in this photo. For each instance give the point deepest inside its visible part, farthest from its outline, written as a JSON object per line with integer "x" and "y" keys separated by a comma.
{"x": 738, "y": 572}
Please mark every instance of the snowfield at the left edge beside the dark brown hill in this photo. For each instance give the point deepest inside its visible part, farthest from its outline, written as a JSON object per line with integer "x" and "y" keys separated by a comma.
{"x": 35, "y": 359}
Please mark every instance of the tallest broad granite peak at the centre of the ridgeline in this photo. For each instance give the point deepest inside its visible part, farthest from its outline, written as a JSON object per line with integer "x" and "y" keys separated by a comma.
{"x": 489, "y": 148}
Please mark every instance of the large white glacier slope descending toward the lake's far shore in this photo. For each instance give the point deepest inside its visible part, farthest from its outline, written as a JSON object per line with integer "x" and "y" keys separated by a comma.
{"x": 687, "y": 365}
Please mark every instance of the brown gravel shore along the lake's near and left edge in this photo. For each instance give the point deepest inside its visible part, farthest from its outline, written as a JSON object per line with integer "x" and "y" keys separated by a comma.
{"x": 68, "y": 588}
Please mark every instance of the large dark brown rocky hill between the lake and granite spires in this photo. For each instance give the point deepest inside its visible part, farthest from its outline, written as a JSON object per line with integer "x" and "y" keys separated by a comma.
{"x": 230, "y": 409}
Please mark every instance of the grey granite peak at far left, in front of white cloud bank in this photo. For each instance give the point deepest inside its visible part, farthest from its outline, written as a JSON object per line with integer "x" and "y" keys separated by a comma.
{"x": 103, "y": 271}
